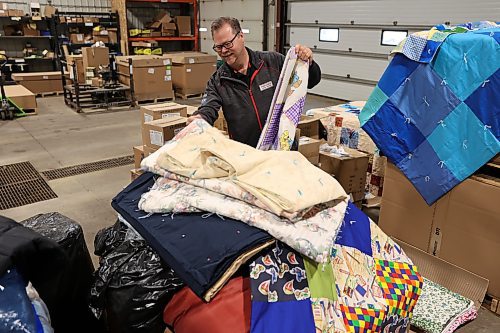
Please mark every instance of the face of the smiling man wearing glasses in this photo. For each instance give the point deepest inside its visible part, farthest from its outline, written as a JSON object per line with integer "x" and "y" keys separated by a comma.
{"x": 224, "y": 36}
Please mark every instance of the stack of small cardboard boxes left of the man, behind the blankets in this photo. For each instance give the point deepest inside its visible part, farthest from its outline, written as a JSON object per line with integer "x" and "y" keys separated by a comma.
{"x": 159, "y": 123}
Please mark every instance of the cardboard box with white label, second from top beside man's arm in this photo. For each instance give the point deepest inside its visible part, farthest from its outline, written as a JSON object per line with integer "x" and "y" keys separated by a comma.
{"x": 155, "y": 133}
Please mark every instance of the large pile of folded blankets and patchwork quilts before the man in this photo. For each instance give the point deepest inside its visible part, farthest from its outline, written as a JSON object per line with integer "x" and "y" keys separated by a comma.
{"x": 331, "y": 269}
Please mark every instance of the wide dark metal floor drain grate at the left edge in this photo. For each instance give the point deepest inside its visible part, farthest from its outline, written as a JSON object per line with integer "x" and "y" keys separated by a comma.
{"x": 21, "y": 184}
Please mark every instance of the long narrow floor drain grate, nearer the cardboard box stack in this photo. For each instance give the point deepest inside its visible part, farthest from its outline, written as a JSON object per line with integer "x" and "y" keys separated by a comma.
{"x": 88, "y": 167}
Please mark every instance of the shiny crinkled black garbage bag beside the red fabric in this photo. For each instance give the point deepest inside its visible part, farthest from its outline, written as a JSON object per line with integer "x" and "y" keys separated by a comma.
{"x": 131, "y": 285}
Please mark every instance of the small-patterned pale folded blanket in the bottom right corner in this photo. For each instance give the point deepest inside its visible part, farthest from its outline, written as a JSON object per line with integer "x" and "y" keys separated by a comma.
{"x": 440, "y": 310}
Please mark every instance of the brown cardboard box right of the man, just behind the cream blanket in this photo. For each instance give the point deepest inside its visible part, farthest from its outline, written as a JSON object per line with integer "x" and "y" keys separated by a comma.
{"x": 350, "y": 171}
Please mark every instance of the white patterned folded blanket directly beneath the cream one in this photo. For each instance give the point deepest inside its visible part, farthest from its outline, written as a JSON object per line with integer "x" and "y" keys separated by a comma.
{"x": 312, "y": 236}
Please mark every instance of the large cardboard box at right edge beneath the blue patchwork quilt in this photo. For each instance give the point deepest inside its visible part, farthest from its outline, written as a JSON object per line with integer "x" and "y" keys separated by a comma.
{"x": 462, "y": 227}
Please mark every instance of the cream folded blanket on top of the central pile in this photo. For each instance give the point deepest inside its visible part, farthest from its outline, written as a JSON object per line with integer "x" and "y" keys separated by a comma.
{"x": 283, "y": 181}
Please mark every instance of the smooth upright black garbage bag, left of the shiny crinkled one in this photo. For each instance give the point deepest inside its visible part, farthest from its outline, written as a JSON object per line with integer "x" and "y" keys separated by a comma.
{"x": 68, "y": 298}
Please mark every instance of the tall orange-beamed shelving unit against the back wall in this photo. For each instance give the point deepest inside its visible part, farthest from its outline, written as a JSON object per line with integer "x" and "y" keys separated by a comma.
{"x": 134, "y": 14}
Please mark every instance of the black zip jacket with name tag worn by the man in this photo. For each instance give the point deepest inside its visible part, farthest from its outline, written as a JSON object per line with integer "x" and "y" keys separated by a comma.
{"x": 246, "y": 108}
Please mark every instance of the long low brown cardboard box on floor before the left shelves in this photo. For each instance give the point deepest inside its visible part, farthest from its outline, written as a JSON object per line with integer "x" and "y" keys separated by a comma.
{"x": 41, "y": 82}
